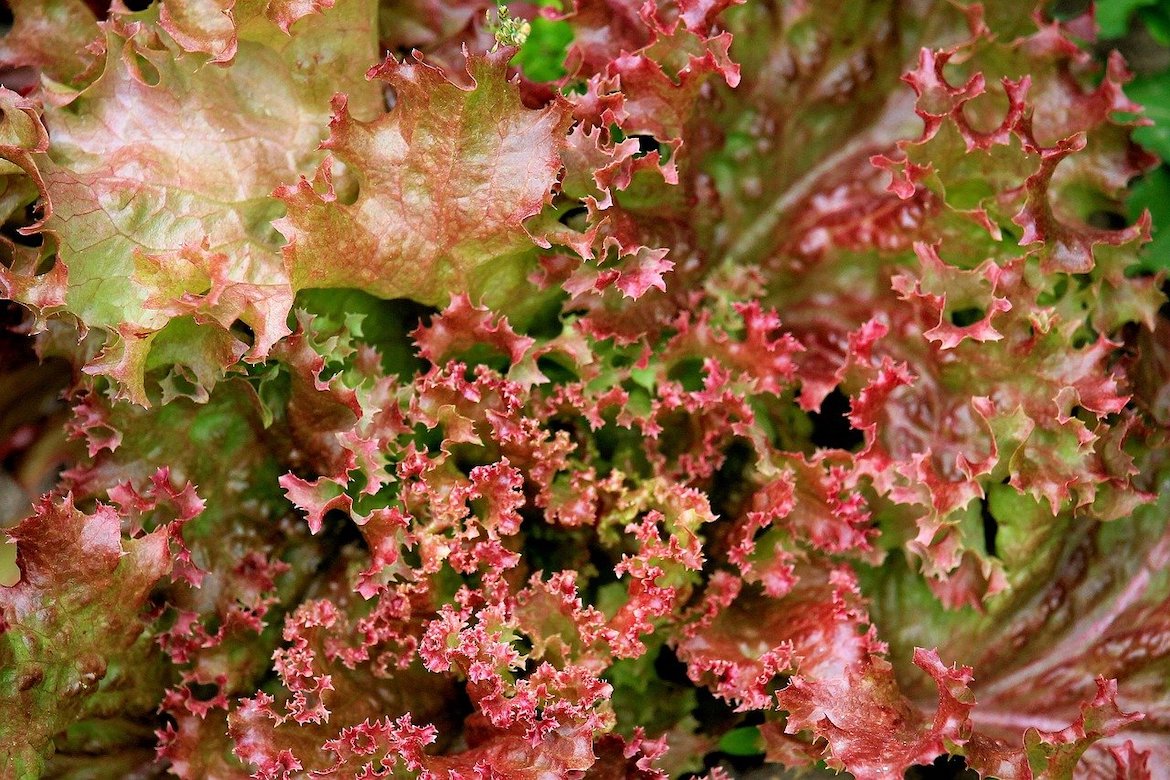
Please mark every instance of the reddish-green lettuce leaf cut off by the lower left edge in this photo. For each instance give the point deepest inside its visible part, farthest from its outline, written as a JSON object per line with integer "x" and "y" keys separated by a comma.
{"x": 72, "y": 630}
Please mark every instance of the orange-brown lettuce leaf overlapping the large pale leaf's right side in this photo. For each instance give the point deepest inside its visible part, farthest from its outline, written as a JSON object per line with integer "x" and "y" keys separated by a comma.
{"x": 445, "y": 183}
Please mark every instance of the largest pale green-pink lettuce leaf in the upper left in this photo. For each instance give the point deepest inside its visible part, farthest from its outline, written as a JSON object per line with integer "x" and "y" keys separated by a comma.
{"x": 159, "y": 185}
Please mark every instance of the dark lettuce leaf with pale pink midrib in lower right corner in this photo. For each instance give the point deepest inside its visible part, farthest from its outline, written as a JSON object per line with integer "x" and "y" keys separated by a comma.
{"x": 1088, "y": 600}
